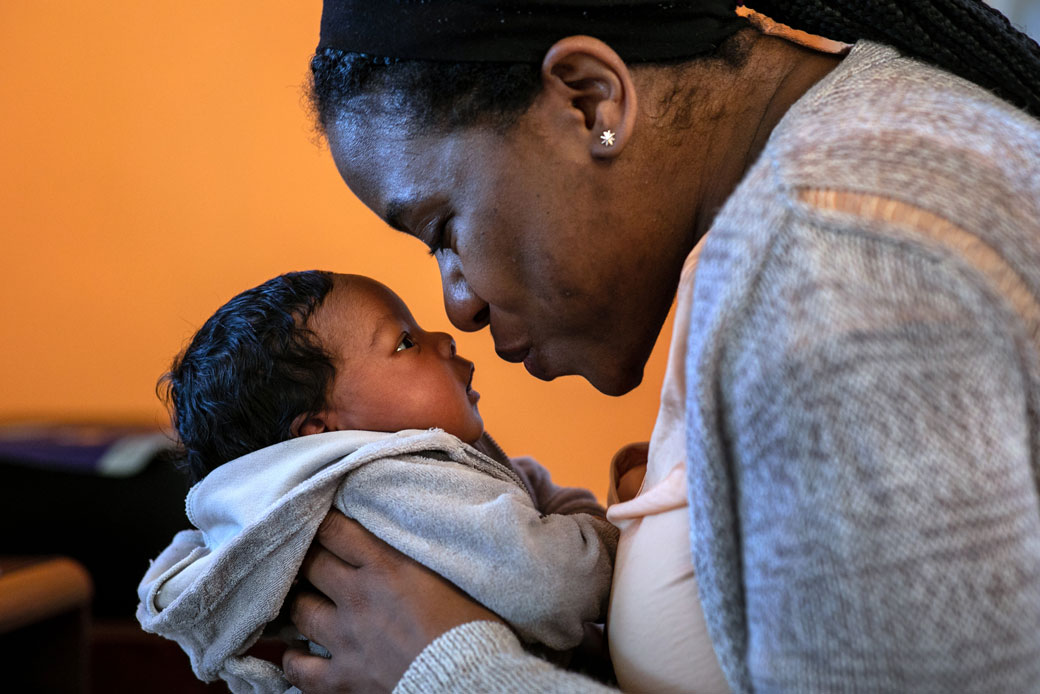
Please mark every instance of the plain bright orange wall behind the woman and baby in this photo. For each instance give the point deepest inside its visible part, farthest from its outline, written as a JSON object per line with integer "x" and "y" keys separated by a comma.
{"x": 157, "y": 159}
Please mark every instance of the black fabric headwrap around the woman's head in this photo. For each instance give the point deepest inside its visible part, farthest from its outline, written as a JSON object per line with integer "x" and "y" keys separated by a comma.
{"x": 524, "y": 31}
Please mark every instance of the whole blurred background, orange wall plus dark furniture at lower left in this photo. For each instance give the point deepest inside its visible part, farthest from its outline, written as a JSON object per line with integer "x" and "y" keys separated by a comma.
{"x": 158, "y": 159}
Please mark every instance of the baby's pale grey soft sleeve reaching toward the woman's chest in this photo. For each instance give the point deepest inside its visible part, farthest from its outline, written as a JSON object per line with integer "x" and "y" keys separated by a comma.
{"x": 547, "y": 575}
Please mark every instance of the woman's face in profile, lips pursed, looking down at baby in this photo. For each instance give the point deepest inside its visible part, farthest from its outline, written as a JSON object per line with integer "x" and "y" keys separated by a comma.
{"x": 550, "y": 248}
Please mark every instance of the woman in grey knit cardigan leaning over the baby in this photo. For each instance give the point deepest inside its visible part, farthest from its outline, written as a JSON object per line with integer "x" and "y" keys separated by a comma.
{"x": 854, "y": 381}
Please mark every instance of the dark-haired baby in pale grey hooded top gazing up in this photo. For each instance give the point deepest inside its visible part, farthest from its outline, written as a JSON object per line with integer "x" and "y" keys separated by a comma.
{"x": 316, "y": 392}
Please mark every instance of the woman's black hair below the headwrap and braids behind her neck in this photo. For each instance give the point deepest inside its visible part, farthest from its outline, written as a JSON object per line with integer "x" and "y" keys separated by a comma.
{"x": 966, "y": 38}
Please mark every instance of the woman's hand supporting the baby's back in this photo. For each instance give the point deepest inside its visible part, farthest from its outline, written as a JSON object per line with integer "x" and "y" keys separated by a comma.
{"x": 380, "y": 609}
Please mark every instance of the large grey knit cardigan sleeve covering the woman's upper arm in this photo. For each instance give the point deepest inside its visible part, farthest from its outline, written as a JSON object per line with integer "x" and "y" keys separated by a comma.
{"x": 881, "y": 434}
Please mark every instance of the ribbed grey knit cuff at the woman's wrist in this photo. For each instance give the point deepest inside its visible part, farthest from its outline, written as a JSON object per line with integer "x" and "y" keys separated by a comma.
{"x": 486, "y": 657}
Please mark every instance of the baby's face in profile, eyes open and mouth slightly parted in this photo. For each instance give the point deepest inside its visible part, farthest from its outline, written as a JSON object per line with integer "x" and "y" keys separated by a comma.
{"x": 391, "y": 374}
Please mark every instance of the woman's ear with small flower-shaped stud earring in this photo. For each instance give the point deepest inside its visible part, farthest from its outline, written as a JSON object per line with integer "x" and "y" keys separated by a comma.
{"x": 594, "y": 85}
